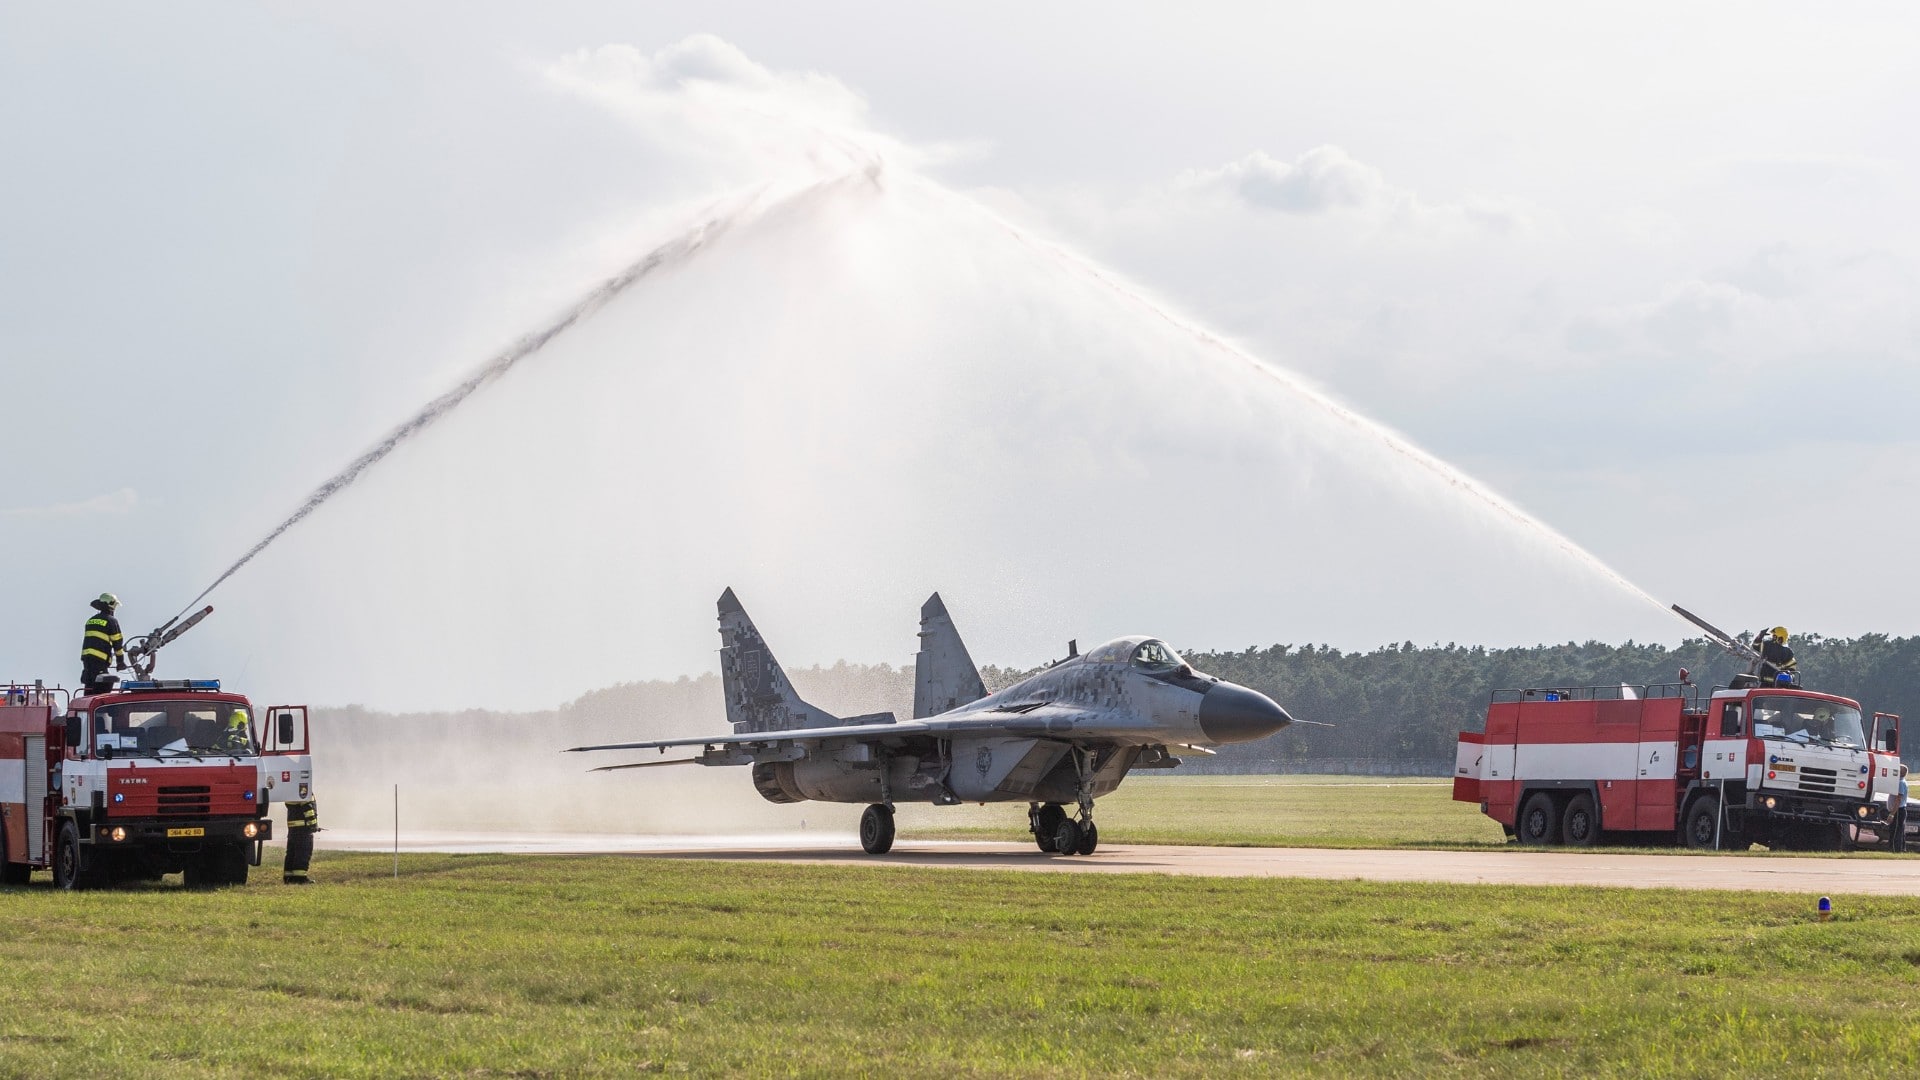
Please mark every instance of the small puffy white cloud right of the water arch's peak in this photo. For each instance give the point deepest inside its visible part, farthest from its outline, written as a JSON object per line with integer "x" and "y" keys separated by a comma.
{"x": 1328, "y": 180}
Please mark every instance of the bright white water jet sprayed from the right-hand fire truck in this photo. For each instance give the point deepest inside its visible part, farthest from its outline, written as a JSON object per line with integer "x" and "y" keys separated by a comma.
{"x": 1343, "y": 414}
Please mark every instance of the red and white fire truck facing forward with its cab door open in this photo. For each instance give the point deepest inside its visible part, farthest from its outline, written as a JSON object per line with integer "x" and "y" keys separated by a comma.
{"x": 143, "y": 781}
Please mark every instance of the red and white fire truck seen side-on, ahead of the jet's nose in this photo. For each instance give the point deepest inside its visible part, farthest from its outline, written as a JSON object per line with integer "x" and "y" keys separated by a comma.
{"x": 1750, "y": 764}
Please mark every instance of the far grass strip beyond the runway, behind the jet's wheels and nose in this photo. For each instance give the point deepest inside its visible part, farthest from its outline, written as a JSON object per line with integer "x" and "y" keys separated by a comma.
{"x": 1243, "y": 812}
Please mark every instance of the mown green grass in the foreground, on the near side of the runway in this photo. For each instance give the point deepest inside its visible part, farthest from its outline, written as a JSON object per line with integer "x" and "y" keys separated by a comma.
{"x": 514, "y": 966}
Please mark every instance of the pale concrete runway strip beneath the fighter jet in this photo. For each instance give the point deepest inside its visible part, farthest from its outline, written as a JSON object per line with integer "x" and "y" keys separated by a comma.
{"x": 1764, "y": 873}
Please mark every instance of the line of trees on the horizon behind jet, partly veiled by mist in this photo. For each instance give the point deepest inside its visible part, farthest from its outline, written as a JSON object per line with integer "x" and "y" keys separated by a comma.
{"x": 1393, "y": 710}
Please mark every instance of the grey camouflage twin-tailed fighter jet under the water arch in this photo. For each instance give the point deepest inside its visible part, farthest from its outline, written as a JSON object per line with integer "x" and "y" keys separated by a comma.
{"x": 1067, "y": 735}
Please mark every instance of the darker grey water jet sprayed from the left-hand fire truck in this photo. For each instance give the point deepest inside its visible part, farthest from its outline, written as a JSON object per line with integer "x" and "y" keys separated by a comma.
{"x": 667, "y": 255}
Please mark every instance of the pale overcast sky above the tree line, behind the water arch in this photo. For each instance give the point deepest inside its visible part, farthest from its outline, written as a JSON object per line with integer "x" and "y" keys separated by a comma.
{"x": 1648, "y": 272}
